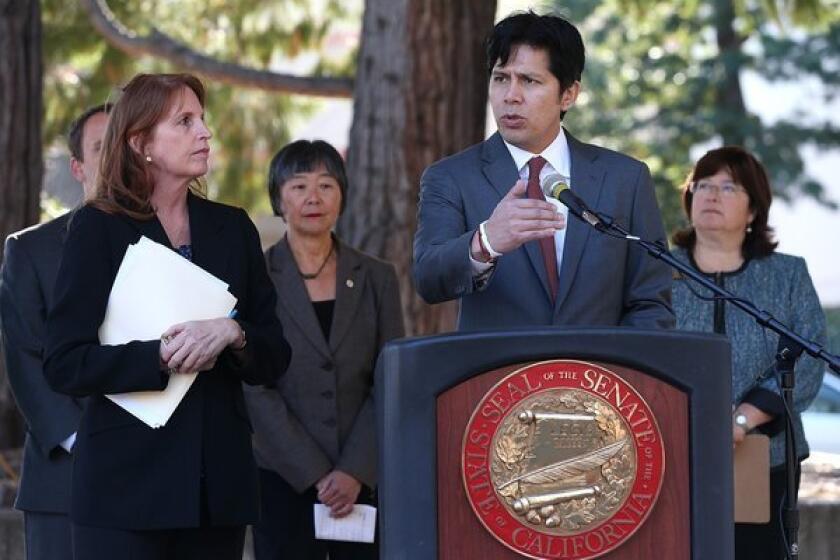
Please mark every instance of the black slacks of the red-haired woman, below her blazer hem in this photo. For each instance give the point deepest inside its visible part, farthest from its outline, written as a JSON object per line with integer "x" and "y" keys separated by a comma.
{"x": 200, "y": 543}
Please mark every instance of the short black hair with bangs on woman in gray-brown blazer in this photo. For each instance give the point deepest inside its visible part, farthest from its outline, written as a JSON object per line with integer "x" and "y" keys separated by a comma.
{"x": 304, "y": 156}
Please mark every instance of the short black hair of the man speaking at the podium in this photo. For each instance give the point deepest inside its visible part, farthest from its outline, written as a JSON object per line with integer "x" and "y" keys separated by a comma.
{"x": 552, "y": 33}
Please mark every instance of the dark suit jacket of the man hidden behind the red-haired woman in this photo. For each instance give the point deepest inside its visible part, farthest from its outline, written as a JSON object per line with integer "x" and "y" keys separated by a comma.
{"x": 29, "y": 272}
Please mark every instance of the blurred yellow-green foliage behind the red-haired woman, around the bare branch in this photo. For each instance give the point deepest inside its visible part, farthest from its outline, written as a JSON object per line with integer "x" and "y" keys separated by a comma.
{"x": 249, "y": 125}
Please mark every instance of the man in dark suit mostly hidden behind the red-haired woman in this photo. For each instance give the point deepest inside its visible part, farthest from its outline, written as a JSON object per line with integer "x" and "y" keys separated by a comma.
{"x": 29, "y": 272}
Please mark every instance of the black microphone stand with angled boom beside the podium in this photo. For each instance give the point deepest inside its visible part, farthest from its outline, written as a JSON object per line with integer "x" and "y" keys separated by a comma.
{"x": 791, "y": 346}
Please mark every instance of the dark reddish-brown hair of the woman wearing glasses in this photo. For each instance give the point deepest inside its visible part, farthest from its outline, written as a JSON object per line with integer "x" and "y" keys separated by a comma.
{"x": 748, "y": 172}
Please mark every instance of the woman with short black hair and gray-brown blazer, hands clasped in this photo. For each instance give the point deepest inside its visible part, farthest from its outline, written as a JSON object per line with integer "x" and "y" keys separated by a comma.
{"x": 314, "y": 432}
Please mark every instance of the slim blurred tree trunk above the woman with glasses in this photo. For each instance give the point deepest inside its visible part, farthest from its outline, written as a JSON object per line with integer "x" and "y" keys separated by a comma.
{"x": 730, "y": 97}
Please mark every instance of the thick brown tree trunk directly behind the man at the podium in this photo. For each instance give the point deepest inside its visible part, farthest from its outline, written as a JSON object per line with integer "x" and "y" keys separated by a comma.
{"x": 420, "y": 94}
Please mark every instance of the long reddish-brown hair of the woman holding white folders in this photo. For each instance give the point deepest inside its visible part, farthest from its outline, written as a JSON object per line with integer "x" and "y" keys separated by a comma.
{"x": 125, "y": 183}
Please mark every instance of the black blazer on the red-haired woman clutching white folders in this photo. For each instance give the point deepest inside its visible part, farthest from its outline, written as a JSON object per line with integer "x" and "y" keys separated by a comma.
{"x": 125, "y": 474}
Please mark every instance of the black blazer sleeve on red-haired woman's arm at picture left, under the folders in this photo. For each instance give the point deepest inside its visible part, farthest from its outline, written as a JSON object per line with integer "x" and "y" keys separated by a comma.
{"x": 76, "y": 363}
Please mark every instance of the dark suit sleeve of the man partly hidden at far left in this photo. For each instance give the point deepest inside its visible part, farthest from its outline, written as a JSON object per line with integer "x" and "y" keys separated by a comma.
{"x": 50, "y": 416}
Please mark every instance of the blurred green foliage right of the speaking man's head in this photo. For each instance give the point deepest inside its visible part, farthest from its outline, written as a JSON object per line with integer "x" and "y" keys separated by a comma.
{"x": 655, "y": 76}
